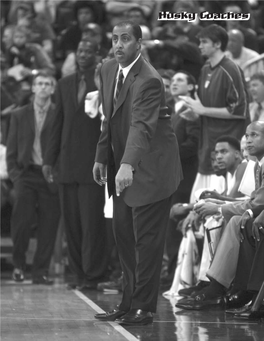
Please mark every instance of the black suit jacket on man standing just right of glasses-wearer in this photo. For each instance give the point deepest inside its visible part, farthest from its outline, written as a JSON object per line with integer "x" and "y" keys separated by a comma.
{"x": 75, "y": 135}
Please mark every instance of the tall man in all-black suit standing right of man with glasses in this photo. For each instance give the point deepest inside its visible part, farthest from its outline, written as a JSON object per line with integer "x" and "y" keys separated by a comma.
{"x": 73, "y": 142}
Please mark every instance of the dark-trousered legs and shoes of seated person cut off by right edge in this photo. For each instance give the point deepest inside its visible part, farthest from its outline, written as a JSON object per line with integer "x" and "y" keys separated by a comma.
{"x": 250, "y": 271}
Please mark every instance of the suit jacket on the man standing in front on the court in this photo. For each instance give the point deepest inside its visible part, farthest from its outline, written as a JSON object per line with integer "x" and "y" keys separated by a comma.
{"x": 140, "y": 133}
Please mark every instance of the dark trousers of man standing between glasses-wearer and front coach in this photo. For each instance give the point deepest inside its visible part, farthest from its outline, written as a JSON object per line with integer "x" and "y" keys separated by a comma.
{"x": 85, "y": 228}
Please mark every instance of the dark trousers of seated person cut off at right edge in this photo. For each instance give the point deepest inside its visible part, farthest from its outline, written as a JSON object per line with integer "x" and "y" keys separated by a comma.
{"x": 250, "y": 268}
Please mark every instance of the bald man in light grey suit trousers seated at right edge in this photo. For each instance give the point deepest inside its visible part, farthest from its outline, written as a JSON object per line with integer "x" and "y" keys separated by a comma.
{"x": 222, "y": 271}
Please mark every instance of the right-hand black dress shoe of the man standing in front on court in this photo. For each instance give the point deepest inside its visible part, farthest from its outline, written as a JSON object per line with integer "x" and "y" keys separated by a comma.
{"x": 136, "y": 317}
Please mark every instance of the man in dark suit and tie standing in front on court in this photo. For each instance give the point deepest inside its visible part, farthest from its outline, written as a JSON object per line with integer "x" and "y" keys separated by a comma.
{"x": 139, "y": 151}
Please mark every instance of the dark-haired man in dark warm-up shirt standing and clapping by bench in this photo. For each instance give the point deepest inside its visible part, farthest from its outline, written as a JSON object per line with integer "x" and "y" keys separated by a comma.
{"x": 226, "y": 112}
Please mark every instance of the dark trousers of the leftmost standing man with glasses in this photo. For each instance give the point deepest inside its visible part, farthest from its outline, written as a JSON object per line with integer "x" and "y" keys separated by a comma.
{"x": 34, "y": 200}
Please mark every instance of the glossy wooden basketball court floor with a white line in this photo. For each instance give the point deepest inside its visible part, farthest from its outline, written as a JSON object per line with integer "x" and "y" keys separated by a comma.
{"x": 37, "y": 312}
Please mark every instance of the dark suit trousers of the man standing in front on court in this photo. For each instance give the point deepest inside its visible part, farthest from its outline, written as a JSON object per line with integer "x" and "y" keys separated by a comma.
{"x": 140, "y": 236}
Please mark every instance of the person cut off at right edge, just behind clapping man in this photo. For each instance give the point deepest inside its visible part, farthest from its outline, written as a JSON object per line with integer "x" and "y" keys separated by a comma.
{"x": 256, "y": 88}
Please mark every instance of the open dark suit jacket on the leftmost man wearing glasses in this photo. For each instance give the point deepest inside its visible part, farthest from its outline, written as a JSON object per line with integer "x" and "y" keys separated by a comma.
{"x": 21, "y": 138}
